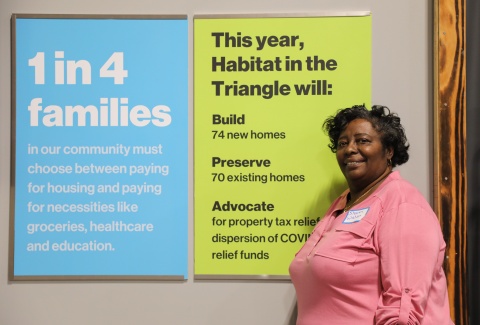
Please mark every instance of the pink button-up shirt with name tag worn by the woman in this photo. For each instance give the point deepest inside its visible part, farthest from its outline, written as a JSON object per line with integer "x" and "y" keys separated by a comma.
{"x": 379, "y": 263}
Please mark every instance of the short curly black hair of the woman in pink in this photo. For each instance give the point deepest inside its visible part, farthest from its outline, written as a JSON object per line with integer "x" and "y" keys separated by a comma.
{"x": 386, "y": 123}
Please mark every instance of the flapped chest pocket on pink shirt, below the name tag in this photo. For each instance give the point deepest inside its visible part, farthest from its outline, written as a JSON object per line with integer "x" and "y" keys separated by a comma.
{"x": 345, "y": 241}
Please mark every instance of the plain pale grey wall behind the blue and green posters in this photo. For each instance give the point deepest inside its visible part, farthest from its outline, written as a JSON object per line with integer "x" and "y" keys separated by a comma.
{"x": 402, "y": 80}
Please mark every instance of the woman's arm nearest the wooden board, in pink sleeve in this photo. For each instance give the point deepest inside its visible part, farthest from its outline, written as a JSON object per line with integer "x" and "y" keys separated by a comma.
{"x": 411, "y": 250}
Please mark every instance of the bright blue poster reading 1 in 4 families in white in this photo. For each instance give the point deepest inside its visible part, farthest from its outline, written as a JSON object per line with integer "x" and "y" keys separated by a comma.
{"x": 101, "y": 147}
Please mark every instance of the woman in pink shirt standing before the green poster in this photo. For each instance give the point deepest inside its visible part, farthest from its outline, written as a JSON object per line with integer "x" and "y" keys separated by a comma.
{"x": 376, "y": 257}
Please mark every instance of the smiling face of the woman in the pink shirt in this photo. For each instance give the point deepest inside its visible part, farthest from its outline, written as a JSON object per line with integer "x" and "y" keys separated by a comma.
{"x": 360, "y": 154}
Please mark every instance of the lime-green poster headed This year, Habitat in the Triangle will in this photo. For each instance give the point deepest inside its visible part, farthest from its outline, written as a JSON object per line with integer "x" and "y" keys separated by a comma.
{"x": 263, "y": 174}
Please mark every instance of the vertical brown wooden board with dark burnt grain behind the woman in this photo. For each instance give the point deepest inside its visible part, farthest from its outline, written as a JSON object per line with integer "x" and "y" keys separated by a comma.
{"x": 450, "y": 147}
